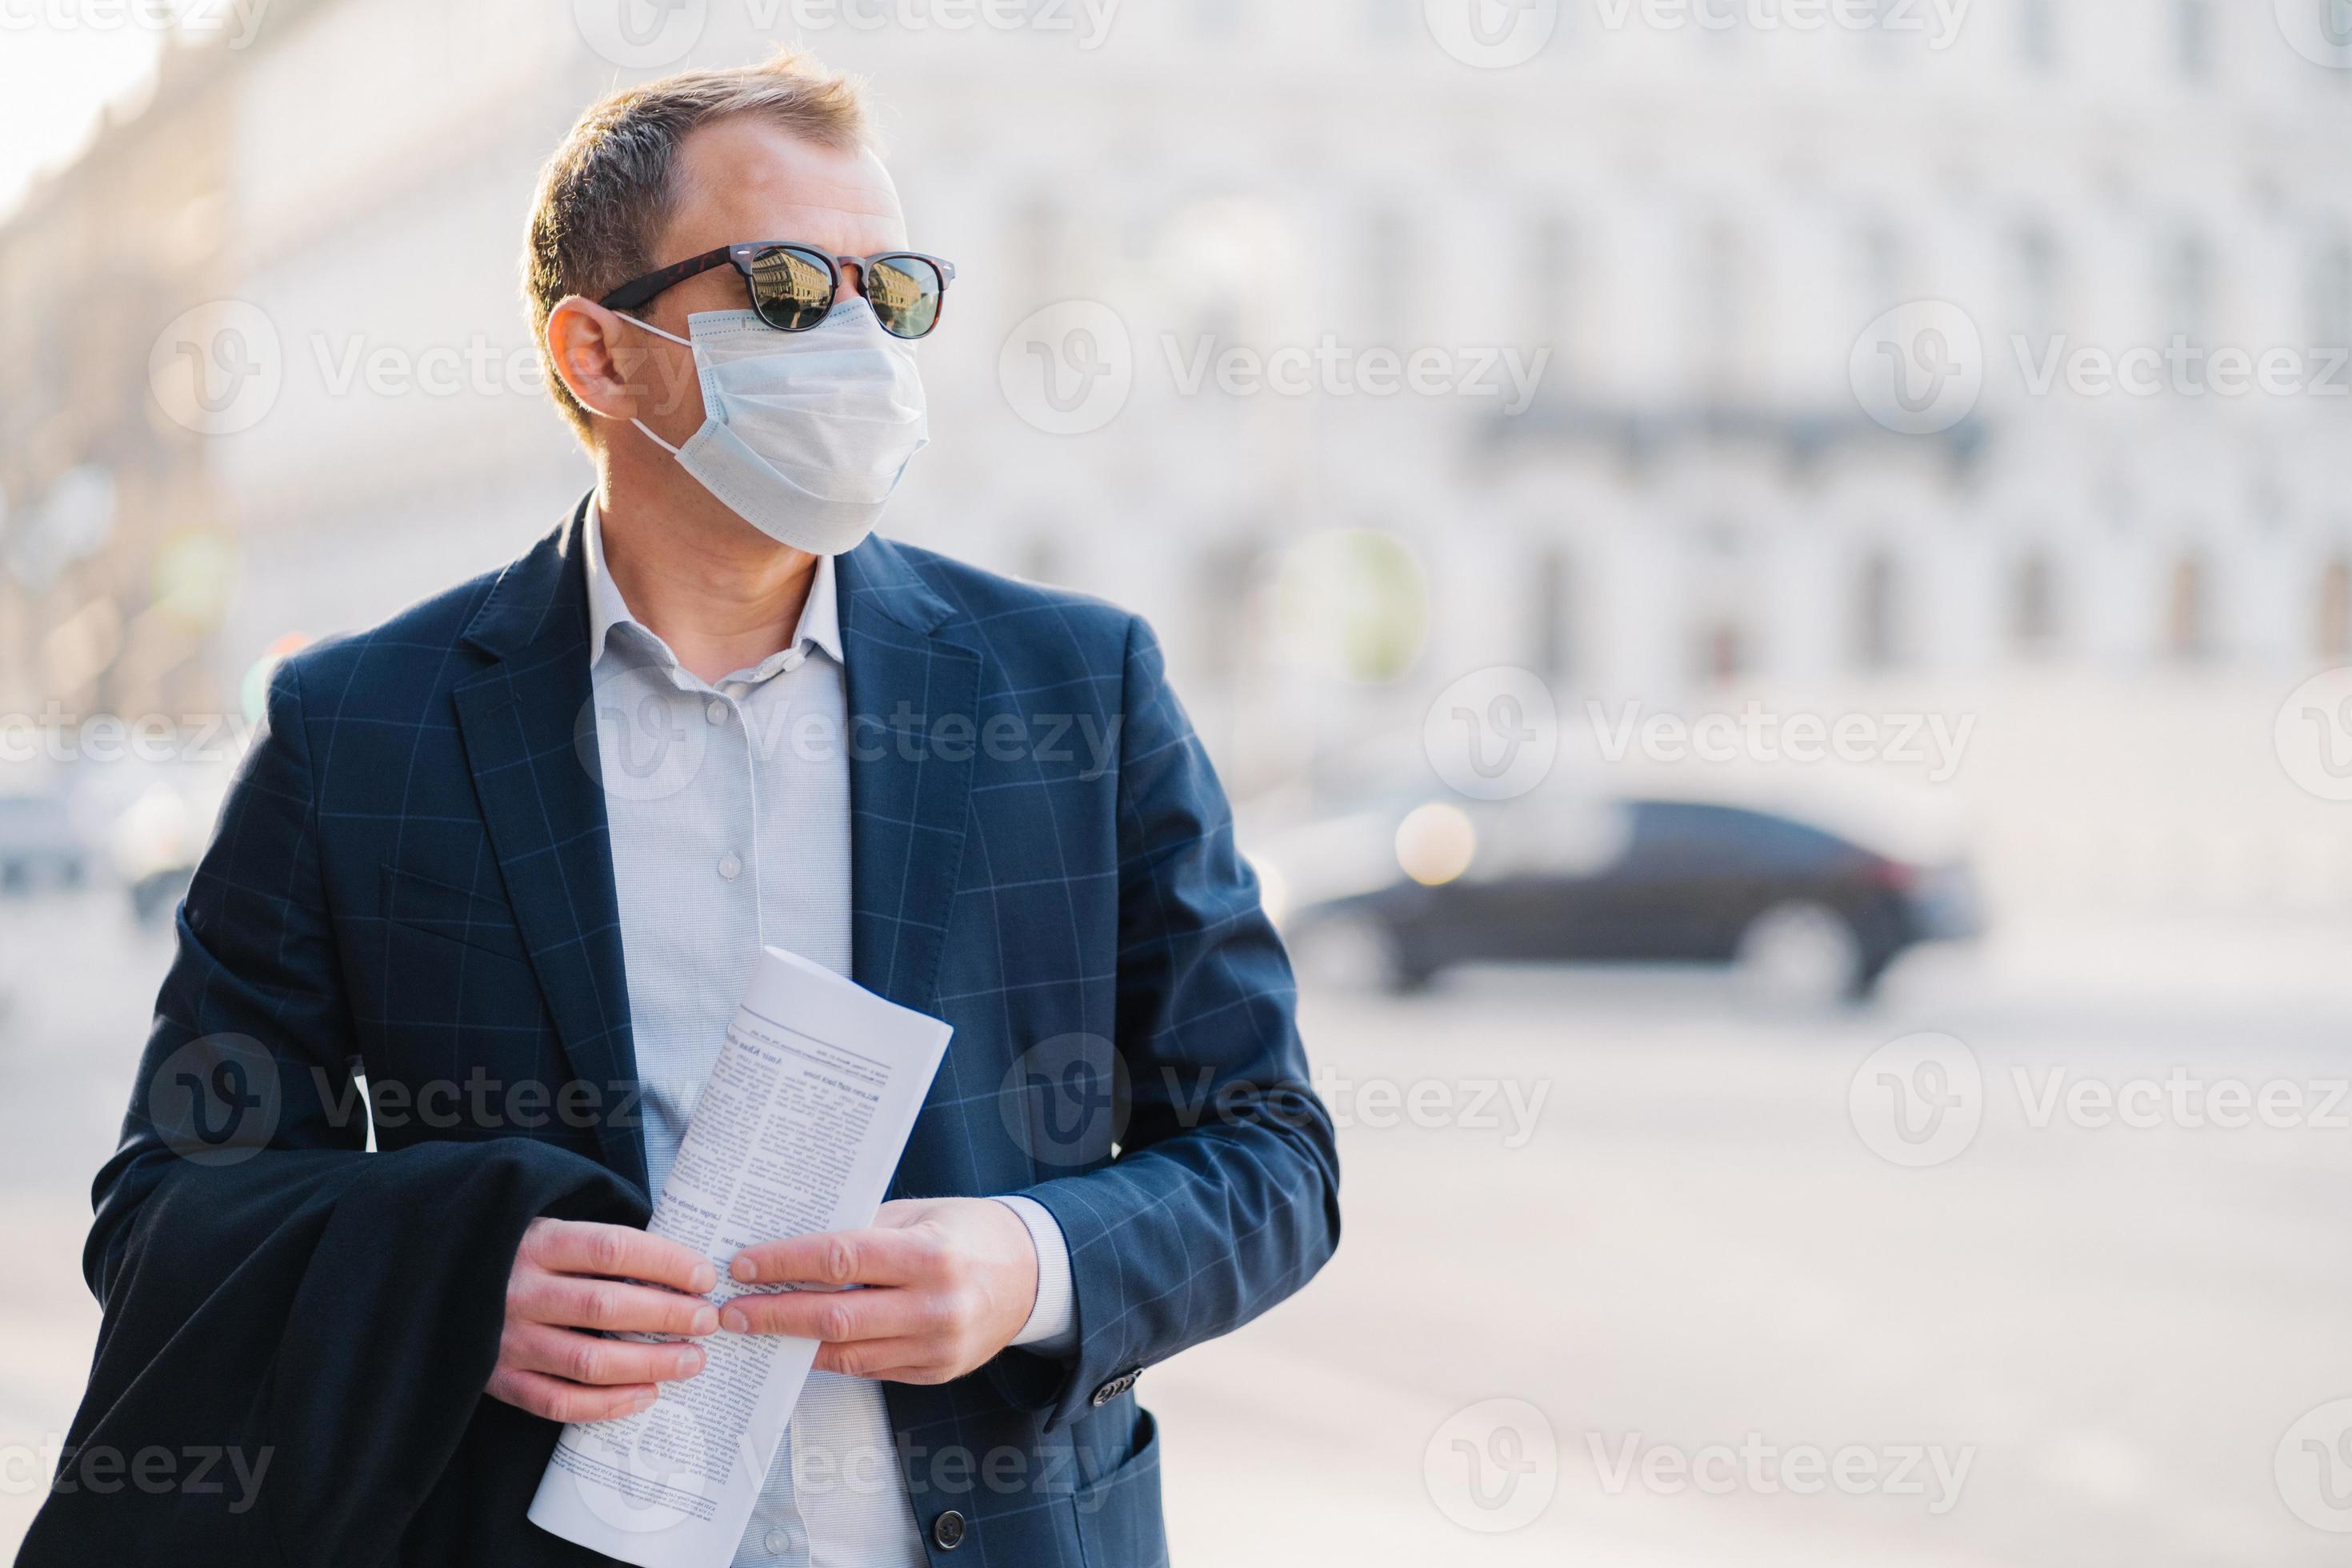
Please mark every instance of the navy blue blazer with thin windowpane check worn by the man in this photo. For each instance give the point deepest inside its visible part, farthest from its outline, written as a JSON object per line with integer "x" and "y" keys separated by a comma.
{"x": 413, "y": 880}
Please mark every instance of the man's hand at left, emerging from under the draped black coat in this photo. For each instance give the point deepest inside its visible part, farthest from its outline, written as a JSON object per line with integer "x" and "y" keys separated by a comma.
{"x": 573, "y": 1278}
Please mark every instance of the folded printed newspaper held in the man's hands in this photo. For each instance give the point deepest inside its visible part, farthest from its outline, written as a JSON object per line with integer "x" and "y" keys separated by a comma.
{"x": 796, "y": 1132}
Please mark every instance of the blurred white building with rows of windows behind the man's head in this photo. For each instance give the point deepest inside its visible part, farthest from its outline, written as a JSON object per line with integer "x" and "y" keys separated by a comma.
{"x": 1683, "y": 213}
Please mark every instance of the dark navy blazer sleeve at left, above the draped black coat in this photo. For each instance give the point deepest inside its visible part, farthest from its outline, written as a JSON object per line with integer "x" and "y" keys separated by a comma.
{"x": 253, "y": 1045}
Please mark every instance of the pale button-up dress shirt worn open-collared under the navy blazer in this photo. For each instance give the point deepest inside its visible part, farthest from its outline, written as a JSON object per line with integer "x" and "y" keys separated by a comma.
{"x": 730, "y": 831}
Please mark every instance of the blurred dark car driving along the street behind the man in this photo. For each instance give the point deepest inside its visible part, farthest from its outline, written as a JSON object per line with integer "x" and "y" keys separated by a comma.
{"x": 1805, "y": 913}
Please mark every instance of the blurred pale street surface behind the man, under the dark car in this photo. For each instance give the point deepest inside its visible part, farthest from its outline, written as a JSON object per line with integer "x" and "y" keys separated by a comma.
{"x": 1650, "y": 1217}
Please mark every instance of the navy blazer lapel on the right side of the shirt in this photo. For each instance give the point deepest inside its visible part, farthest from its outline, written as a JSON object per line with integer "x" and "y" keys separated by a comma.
{"x": 914, "y": 702}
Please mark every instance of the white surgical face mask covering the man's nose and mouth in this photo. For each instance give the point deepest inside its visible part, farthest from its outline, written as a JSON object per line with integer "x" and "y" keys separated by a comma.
{"x": 806, "y": 434}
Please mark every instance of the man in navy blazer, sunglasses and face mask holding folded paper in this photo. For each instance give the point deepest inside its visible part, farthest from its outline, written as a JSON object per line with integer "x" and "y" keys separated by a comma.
{"x": 512, "y": 857}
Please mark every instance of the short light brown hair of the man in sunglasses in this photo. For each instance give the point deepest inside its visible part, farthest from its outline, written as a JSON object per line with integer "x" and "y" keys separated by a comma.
{"x": 608, "y": 192}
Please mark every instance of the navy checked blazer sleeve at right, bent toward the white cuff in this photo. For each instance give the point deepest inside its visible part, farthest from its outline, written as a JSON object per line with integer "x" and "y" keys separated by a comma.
{"x": 1224, "y": 1193}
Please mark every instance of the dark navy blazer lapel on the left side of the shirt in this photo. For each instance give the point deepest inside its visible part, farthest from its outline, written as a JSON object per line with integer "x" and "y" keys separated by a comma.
{"x": 544, "y": 808}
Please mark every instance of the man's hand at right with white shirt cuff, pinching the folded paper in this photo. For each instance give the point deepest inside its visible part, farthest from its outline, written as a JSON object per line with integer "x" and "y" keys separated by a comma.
{"x": 949, "y": 1285}
